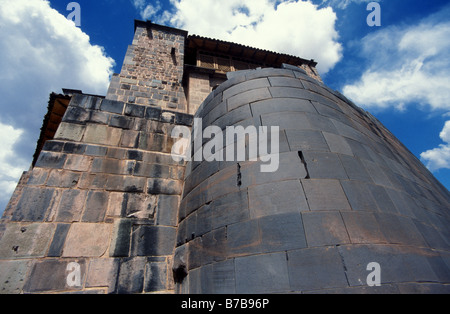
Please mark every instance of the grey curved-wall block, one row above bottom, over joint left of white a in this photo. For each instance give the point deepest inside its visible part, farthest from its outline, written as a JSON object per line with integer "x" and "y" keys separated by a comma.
{"x": 282, "y": 232}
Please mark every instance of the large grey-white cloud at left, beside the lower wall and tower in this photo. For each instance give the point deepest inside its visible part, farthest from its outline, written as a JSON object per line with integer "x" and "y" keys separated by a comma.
{"x": 40, "y": 52}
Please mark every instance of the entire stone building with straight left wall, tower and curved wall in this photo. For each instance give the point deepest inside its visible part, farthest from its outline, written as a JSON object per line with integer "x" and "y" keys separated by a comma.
{"x": 106, "y": 209}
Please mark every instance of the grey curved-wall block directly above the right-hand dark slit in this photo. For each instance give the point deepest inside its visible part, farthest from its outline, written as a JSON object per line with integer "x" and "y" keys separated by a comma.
{"x": 306, "y": 140}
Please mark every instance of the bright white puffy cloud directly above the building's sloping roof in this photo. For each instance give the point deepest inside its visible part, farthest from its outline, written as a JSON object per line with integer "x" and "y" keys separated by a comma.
{"x": 298, "y": 28}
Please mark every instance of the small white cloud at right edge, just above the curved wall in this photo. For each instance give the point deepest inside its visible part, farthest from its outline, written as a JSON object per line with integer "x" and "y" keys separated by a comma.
{"x": 439, "y": 158}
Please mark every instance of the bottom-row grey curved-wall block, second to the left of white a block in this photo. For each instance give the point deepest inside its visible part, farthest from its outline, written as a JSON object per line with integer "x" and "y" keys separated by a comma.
{"x": 267, "y": 273}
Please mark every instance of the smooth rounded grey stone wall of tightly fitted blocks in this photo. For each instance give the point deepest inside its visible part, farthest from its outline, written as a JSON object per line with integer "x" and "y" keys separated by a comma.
{"x": 349, "y": 209}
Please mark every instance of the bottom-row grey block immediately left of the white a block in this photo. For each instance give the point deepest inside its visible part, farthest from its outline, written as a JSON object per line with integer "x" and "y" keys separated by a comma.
{"x": 316, "y": 269}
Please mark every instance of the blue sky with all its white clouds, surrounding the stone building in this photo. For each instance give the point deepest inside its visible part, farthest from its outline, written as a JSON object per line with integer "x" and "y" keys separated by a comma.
{"x": 400, "y": 71}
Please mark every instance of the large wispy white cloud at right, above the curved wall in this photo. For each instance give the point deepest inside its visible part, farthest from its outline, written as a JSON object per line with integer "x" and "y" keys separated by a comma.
{"x": 407, "y": 66}
